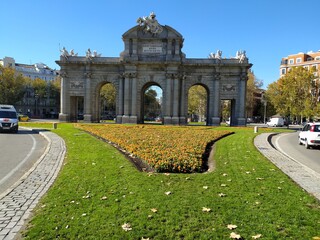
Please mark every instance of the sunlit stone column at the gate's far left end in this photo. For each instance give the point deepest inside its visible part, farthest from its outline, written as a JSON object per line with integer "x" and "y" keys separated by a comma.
{"x": 64, "y": 98}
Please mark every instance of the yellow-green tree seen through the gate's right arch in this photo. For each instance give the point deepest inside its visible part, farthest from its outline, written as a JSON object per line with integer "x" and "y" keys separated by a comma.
{"x": 197, "y": 101}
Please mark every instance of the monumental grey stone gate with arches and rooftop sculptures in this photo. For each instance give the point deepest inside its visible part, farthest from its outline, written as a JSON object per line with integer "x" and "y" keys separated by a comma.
{"x": 152, "y": 56}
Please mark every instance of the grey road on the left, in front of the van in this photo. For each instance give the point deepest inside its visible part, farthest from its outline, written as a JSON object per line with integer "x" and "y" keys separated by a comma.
{"x": 18, "y": 154}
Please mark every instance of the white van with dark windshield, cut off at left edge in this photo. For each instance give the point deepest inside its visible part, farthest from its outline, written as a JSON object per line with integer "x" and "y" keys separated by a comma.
{"x": 8, "y": 118}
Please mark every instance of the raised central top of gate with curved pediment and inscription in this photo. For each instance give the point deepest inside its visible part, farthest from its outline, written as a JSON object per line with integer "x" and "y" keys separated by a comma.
{"x": 150, "y": 43}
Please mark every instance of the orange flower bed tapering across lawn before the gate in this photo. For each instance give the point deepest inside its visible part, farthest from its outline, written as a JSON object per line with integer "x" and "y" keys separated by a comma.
{"x": 163, "y": 148}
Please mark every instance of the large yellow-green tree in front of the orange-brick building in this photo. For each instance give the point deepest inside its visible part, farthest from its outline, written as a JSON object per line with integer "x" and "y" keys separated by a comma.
{"x": 296, "y": 93}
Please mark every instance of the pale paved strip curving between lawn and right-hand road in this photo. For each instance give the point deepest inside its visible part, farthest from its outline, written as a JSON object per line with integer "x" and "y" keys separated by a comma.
{"x": 305, "y": 177}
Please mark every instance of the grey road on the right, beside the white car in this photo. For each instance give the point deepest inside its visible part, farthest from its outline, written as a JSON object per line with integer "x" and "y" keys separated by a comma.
{"x": 288, "y": 144}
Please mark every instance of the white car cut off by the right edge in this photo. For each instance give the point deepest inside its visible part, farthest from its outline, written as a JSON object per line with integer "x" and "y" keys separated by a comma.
{"x": 310, "y": 135}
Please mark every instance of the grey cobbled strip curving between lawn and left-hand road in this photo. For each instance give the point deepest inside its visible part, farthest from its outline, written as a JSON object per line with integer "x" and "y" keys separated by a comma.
{"x": 17, "y": 203}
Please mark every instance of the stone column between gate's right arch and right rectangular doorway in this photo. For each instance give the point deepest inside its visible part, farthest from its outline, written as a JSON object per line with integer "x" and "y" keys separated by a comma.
{"x": 215, "y": 101}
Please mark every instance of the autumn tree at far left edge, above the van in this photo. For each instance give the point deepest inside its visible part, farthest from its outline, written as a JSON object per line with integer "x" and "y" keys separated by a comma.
{"x": 12, "y": 86}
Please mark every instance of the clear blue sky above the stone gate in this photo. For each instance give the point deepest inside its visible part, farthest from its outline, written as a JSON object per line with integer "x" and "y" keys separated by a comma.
{"x": 33, "y": 31}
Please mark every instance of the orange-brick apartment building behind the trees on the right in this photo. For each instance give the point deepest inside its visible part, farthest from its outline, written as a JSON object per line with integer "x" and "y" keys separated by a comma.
{"x": 308, "y": 60}
